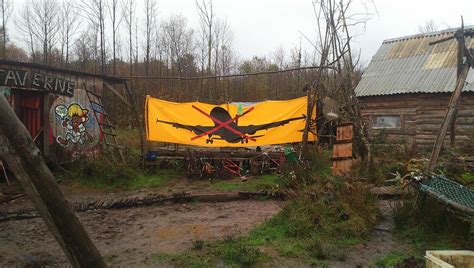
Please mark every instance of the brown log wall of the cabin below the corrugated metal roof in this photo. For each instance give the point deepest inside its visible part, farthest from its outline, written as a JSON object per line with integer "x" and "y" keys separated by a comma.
{"x": 421, "y": 116}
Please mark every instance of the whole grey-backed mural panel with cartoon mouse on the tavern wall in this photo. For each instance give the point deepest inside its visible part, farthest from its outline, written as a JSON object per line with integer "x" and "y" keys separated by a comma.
{"x": 74, "y": 126}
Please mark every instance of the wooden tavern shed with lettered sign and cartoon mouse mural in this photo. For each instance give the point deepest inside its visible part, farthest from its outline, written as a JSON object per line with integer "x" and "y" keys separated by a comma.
{"x": 62, "y": 109}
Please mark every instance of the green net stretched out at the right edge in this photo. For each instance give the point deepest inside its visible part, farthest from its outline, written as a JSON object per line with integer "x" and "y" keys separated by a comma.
{"x": 451, "y": 193}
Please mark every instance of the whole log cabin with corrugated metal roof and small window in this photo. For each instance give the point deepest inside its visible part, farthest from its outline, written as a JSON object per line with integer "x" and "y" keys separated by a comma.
{"x": 406, "y": 88}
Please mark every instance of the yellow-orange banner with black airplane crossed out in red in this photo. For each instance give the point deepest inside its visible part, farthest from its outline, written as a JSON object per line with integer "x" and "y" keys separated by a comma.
{"x": 226, "y": 125}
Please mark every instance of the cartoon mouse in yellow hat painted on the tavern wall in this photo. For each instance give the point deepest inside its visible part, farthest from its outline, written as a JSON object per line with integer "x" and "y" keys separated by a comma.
{"x": 73, "y": 119}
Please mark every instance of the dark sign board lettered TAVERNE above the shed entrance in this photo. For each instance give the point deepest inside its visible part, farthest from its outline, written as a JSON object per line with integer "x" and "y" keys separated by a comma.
{"x": 44, "y": 82}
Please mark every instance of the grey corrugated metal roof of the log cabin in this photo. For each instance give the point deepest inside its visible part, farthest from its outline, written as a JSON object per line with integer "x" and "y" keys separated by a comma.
{"x": 409, "y": 65}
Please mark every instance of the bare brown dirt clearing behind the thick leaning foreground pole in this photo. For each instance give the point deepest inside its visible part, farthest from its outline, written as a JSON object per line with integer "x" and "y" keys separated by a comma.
{"x": 128, "y": 237}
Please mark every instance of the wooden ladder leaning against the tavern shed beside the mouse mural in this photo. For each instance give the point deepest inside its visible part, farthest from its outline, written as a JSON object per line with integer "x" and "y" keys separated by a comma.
{"x": 105, "y": 126}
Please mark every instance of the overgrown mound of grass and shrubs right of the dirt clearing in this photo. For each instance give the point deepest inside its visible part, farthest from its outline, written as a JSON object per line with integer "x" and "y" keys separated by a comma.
{"x": 325, "y": 216}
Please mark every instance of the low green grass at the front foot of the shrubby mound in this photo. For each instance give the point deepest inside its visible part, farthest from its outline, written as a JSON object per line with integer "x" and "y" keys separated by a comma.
{"x": 295, "y": 235}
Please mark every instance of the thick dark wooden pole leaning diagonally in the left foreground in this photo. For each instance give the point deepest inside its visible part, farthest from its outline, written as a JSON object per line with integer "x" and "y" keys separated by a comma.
{"x": 23, "y": 158}
